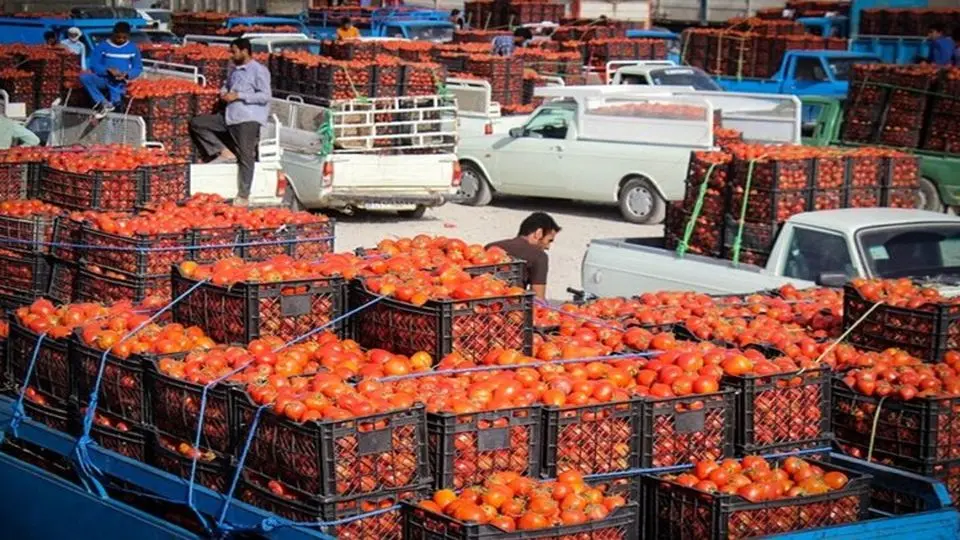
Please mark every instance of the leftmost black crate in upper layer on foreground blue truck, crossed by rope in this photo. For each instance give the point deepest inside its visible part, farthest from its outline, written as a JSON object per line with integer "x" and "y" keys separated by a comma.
{"x": 51, "y": 372}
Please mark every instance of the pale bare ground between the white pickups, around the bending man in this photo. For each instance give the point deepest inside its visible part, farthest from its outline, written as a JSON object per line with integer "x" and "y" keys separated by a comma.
{"x": 580, "y": 222}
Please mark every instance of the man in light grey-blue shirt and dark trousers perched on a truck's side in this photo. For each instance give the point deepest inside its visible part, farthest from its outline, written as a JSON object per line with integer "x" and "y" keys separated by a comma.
{"x": 234, "y": 135}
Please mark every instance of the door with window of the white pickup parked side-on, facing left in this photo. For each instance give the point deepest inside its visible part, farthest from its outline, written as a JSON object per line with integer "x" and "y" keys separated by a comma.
{"x": 531, "y": 160}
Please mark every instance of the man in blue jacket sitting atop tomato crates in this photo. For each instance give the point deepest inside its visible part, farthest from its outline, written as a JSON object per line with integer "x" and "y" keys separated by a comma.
{"x": 114, "y": 63}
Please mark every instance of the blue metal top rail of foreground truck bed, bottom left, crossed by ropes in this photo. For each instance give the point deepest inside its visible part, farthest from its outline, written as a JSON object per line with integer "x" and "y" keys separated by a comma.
{"x": 164, "y": 485}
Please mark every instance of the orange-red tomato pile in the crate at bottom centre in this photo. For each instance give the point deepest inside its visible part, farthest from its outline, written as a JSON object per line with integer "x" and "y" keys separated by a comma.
{"x": 511, "y": 502}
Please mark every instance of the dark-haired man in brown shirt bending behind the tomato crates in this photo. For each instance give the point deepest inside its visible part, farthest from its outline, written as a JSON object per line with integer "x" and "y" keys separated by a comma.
{"x": 535, "y": 237}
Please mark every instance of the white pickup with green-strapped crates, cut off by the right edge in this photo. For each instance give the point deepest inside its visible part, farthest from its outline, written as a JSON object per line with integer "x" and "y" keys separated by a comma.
{"x": 825, "y": 248}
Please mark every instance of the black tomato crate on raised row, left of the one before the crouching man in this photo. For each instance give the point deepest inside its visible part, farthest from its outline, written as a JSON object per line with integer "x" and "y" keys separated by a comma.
{"x": 244, "y": 311}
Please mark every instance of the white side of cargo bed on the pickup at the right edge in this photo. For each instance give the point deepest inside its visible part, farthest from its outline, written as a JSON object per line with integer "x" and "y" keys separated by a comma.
{"x": 625, "y": 266}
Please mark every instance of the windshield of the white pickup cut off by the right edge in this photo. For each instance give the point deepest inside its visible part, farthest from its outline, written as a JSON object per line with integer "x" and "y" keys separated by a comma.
{"x": 922, "y": 250}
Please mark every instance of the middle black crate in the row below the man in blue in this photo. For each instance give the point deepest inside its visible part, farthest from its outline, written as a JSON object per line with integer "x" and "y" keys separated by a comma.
{"x": 99, "y": 190}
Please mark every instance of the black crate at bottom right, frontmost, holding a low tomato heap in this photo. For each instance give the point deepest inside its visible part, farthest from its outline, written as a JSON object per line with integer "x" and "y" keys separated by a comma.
{"x": 677, "y": 512}
